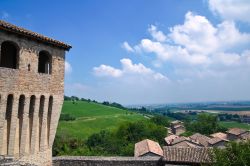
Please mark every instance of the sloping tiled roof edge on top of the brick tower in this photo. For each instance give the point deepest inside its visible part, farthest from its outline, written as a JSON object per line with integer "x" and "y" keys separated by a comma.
{"x": 32, "y": 35}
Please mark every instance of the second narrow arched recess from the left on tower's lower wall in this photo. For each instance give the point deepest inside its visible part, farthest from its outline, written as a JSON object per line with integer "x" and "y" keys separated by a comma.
{"x": 20, "y": 117}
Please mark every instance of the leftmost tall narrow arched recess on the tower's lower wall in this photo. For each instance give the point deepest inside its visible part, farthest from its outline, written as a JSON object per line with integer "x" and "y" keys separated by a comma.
{"x": 8, "y": 118}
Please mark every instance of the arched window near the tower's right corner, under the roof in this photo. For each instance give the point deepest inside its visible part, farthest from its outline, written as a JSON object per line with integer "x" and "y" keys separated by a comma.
{"x": 44, "y": 62}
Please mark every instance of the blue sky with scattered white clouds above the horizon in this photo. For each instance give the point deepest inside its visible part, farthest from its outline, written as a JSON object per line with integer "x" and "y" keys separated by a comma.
{"x": 146, "y": 51}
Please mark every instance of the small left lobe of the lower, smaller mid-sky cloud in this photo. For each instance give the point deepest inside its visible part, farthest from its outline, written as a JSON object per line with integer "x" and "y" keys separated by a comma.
{"x": 104, "y": 70}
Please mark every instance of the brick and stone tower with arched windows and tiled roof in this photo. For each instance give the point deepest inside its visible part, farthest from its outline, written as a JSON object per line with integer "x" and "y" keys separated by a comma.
{"x": 31, "y": 94}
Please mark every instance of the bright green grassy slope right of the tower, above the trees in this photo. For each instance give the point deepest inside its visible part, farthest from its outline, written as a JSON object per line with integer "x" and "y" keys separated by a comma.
{"x": 91, "y": 118}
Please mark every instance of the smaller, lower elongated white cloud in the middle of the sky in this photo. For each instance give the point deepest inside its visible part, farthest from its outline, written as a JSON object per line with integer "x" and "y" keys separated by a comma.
{"x": 128, "y": 69}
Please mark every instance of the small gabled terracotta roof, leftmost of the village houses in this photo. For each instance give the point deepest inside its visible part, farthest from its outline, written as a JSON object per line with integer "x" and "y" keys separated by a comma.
{"x": 147, "y": 146}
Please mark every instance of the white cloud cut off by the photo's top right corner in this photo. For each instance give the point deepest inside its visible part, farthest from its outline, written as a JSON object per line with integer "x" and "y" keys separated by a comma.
{"x": 231, "y": 9}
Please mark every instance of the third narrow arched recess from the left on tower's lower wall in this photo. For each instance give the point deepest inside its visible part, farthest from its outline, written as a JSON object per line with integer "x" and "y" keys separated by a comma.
{"x": 31, "y": 117}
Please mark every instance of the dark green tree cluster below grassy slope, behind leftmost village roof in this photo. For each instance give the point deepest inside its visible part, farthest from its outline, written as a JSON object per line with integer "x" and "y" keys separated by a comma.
{"x": 121, "y": 141}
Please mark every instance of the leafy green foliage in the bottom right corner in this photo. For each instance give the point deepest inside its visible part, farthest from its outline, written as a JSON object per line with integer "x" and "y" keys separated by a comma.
{"x": 234, "y": 154}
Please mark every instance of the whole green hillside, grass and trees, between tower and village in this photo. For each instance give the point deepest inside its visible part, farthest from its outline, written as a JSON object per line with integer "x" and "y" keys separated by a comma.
{"x": 103, "y": 129}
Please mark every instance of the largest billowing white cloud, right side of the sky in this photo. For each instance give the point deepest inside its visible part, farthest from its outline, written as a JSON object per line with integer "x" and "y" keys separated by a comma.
{"x": 198, "y": 42}
